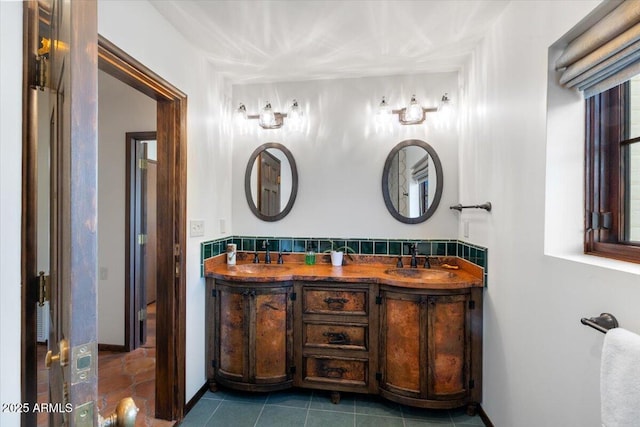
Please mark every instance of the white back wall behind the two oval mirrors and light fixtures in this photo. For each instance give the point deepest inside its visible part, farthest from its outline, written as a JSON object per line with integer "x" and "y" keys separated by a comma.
{"x": 340, "y": 155}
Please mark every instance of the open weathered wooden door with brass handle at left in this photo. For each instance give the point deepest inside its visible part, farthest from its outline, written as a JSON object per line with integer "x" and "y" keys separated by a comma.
{"x": 73, "y": 334}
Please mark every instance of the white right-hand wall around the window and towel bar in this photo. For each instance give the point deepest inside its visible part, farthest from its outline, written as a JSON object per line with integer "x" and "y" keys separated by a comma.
{"x": 541, "y": 366}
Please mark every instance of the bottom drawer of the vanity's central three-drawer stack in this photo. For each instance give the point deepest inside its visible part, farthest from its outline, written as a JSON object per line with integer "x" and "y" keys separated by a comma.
{"x": 336, "y": 370}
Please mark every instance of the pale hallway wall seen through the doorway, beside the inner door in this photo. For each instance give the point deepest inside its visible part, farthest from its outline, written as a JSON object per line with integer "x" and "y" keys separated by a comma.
{"x": 121, "y": 109}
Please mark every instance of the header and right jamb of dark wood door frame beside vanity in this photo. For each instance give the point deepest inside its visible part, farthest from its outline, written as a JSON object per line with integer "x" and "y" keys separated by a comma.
{"x": 171, "y": 222}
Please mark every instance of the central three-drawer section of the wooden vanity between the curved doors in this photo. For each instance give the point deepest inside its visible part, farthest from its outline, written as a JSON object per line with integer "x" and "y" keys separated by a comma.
{"x": 335, "y": 330}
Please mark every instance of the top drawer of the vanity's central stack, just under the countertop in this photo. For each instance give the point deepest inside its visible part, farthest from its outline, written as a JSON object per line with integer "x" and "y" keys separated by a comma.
{"x": 351, "y": 302}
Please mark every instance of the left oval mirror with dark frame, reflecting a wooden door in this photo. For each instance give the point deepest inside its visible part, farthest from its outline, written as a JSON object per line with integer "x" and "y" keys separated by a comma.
{"x": 271, "y": 181}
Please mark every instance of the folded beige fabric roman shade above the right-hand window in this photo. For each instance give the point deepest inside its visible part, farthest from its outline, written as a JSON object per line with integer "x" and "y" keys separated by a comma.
{"x": 604, "y": 55}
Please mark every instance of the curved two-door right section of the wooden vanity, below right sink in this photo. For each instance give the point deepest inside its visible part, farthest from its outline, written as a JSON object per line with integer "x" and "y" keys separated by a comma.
{"x": 430, "y": 347}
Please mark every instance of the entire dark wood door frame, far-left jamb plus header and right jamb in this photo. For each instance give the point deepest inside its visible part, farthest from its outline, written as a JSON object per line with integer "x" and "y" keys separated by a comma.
{"x": 171, "y": 137}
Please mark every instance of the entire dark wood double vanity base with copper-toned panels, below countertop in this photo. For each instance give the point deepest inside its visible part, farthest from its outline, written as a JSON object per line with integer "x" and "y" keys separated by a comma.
{"x": 418, "y": 347}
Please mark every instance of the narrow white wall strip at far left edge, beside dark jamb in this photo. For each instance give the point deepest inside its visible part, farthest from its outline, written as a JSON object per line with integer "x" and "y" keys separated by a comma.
{"x": 10, "y": 204}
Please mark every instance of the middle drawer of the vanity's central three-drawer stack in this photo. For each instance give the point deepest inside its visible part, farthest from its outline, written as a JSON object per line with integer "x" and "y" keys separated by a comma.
{"x": 327, "y": 335}
